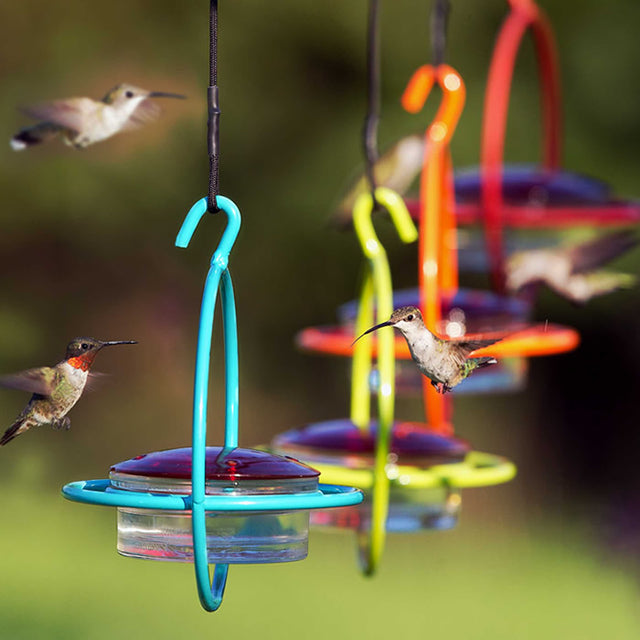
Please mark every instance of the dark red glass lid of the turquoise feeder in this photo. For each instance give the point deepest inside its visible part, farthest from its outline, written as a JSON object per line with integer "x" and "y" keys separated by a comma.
{"x": 220, "y": 464}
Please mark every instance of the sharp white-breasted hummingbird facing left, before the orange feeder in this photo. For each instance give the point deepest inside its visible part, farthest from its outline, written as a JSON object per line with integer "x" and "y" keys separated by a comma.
{"x": 445, "y": 362}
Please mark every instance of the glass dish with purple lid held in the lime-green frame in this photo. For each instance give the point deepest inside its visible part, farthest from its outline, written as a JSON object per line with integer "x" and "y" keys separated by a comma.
{"x": 413, "y": 504}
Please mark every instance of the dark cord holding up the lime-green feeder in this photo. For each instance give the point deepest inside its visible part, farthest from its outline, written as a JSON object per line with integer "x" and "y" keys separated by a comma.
{"x": 370, "y": 129}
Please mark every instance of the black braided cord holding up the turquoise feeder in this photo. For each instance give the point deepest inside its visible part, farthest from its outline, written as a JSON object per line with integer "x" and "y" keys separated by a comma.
{"x": 213, "y": 116}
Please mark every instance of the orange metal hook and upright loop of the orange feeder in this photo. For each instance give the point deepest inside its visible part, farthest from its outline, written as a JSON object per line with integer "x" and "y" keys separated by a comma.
{"x": 437, "y": 249}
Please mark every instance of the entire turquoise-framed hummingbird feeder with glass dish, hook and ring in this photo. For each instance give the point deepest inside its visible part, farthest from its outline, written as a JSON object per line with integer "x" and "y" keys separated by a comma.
{"x": 257, "y": 493}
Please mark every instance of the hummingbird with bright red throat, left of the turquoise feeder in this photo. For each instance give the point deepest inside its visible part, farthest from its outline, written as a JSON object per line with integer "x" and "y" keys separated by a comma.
{"x": 55, "y": 389}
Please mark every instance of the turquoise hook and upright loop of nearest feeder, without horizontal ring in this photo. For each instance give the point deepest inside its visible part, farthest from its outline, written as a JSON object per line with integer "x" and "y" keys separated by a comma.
{"x": 211, "y": 594}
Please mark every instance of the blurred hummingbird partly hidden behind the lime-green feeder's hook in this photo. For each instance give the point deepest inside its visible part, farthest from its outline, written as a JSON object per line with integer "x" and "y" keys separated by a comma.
{"x": 396, "y": 169}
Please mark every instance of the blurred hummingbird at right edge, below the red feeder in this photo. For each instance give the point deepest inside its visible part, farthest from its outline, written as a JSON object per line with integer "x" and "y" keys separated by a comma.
{"x": 572, "y": 271}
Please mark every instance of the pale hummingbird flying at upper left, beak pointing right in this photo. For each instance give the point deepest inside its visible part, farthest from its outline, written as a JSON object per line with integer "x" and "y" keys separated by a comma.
{"x": 83, "y": 121}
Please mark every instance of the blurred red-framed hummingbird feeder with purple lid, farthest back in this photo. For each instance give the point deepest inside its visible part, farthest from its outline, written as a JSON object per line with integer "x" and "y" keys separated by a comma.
{"x": 526, "y": 197}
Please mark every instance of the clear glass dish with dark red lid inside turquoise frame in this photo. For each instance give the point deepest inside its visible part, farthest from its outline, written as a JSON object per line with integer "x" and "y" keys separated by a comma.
{"x": 241, "y": 537}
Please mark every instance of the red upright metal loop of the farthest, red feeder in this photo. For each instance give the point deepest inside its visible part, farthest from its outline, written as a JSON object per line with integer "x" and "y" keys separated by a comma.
{"x": 524, "y": 15}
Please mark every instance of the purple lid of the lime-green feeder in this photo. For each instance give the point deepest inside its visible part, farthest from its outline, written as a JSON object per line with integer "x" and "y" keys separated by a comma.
{"x": 411, "y": 442}
